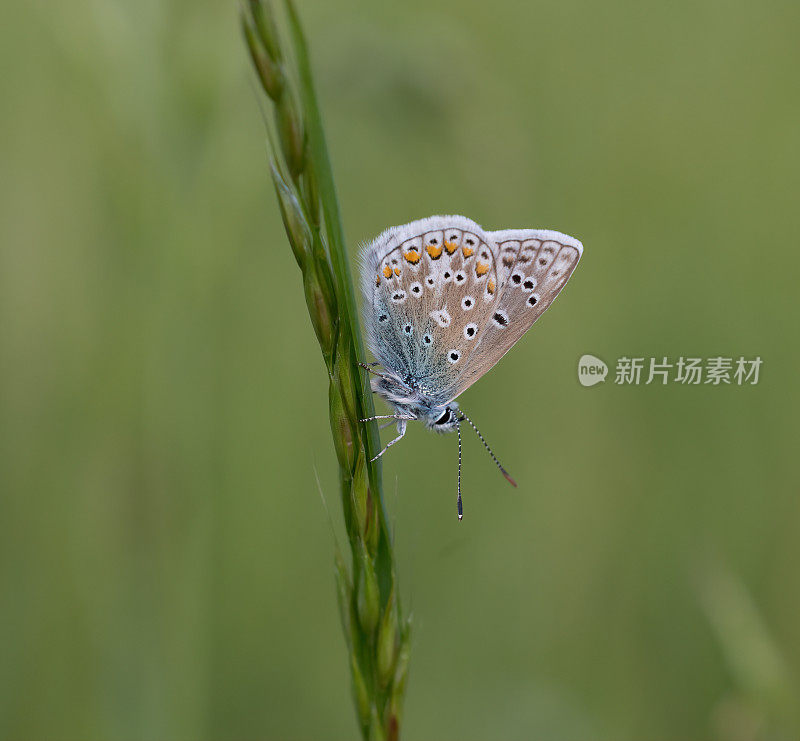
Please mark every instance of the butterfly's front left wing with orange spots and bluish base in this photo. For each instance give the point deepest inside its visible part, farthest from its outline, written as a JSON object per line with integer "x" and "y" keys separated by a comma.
{"x": 431, "y": 288}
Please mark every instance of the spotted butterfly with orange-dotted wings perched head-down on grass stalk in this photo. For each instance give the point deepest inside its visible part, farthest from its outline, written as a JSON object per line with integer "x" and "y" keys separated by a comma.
{"x": 444, "y": 301}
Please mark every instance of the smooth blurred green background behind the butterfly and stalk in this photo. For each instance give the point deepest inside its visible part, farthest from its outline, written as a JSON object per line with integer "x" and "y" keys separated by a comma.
{"x": 165, "y": 557}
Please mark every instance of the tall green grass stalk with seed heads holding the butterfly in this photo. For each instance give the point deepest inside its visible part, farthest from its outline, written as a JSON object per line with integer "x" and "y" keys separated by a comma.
{"x": 376, "y": 633}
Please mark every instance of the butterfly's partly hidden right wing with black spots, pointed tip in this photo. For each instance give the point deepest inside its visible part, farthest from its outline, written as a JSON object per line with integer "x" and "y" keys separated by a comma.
{"x": 533, "y": 267}
